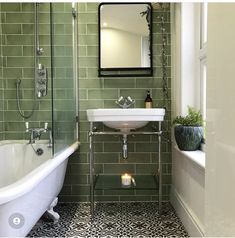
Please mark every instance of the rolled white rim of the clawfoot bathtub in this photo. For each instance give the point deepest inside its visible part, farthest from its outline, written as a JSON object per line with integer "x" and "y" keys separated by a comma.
{"x": 32, "y": 179}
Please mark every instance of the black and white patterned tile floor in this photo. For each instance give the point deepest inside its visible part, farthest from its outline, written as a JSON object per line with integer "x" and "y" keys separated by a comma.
{"x": 112, "y": 220}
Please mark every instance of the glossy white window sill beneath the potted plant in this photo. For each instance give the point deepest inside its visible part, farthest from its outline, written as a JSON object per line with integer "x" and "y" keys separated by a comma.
{"x": 197, "y": 156}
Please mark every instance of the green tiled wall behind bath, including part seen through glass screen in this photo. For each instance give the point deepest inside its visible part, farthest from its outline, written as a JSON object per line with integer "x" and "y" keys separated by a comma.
{"x": 17, "y": 61}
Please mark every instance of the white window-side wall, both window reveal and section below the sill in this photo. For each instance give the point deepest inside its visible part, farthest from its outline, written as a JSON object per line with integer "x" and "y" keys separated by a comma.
{"x": 187, "y": 193}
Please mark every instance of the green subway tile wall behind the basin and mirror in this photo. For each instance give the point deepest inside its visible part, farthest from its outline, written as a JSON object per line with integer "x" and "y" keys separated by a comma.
{"x": 95, "y": 92}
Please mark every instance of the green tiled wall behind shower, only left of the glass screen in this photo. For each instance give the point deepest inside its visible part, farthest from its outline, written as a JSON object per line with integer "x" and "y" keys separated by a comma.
{"x": 17, "y": 51}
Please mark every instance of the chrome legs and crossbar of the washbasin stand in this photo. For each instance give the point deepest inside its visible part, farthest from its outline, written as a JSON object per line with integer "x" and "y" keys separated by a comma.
{"x": 93, "y": 132}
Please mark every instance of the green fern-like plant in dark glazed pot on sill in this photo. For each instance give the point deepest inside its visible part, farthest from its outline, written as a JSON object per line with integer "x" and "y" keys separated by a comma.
{"x": 188, "y": 130}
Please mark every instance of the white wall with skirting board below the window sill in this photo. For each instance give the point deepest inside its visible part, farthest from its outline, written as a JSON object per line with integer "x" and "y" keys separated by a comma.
{"x": 187, "y": 192}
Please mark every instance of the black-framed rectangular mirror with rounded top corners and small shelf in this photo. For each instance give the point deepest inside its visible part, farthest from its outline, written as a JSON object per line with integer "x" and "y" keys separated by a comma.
{"x": 125, "y": 39}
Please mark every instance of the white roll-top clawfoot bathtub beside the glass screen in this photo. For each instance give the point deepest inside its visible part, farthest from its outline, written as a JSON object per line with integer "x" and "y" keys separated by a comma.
{"x": 29, "y": 184}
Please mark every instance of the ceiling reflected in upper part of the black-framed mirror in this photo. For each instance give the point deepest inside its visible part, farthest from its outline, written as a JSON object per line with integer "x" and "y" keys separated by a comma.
{"x": 125, "y": 17}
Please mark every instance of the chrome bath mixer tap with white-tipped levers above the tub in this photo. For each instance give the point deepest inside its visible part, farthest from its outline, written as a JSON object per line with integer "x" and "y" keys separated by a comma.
{"x": 35, "y": 133}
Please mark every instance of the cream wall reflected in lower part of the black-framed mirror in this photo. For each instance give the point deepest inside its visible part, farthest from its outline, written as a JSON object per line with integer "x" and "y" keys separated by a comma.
{"x": 120, "y": 48}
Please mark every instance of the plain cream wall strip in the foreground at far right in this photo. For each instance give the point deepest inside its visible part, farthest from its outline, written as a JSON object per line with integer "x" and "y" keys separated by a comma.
{"x": 220, "y": 163}
